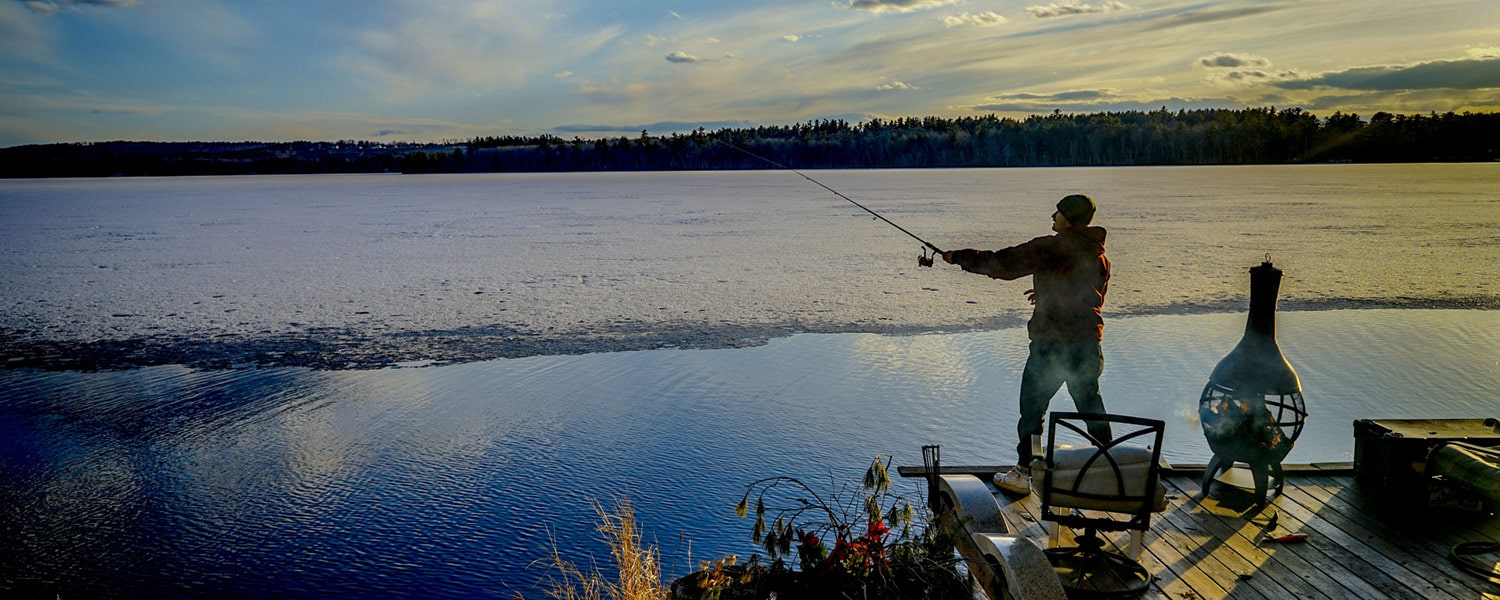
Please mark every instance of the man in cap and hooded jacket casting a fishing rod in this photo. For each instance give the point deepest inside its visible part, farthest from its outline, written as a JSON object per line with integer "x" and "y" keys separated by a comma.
{"x": 1070, "y": 277}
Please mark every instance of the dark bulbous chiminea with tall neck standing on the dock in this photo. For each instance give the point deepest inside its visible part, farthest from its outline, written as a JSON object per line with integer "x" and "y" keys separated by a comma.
{"x": 1252, "y": 409}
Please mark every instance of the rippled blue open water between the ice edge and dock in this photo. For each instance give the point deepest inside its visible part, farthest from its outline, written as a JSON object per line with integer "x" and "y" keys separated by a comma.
{"x": 452, "y": 481}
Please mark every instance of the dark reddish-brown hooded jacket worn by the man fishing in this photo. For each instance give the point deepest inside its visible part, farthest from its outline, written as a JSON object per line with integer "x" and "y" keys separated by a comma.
{"x": 1069, "y": 272}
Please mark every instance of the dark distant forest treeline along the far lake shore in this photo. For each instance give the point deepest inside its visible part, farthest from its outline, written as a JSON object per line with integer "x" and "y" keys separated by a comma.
{"x": 1202, "y": 137}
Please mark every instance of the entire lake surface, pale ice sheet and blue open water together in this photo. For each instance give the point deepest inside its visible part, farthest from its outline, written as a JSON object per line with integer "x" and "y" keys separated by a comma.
{"x": 664, "y": 338}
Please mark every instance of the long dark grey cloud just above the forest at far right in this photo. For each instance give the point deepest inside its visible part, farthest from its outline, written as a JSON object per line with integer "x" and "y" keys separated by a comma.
{"x": 1468, "y": 74}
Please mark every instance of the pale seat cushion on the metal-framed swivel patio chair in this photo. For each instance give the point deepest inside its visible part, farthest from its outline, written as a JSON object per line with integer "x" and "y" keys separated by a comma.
{"x": 1100, "y": 487}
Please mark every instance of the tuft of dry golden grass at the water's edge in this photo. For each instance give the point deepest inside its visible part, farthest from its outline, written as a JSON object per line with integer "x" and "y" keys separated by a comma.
{"x": 638, "y": 568}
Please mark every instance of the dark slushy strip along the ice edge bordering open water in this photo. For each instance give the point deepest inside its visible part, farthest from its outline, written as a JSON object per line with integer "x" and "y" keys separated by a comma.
{"x": 362, "y": 349}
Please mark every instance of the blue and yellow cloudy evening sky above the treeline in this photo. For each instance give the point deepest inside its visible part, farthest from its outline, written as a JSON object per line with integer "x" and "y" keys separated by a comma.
{"x": 395, "y": 71}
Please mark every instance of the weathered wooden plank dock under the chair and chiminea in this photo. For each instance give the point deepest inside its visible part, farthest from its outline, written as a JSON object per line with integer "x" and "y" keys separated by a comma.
{"x": 1355, "y": 548}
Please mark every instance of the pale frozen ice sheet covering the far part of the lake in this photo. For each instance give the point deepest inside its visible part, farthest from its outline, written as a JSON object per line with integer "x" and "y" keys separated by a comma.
{"x": 377, "y": 271}
